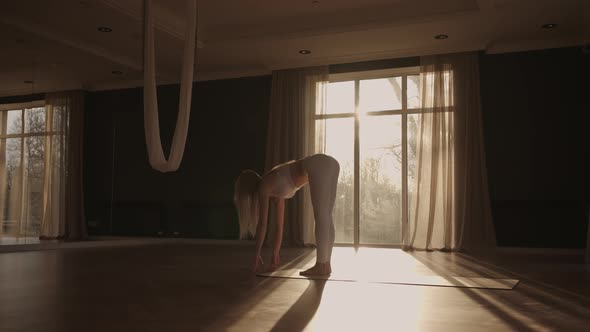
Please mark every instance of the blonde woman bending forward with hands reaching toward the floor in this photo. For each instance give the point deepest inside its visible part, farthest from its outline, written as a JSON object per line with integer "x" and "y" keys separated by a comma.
{"x": 253, "y": 195}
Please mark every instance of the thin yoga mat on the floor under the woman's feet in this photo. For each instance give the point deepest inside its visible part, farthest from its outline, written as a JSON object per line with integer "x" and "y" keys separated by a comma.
{"x": 448, "y": 281}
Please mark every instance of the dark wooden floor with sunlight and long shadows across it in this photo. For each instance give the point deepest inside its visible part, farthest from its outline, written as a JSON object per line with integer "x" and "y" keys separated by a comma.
{"x": 196, "y": 287}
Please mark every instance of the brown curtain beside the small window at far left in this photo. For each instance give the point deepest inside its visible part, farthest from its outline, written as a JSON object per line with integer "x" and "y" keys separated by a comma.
{"x": 63, "y": 206}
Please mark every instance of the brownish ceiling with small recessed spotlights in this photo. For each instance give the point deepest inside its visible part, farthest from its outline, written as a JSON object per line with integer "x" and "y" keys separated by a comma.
{"x": 56, "y": 43}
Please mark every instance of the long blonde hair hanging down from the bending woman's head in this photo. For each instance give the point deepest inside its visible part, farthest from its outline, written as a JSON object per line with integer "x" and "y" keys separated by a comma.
{"x": 246, "y": 201}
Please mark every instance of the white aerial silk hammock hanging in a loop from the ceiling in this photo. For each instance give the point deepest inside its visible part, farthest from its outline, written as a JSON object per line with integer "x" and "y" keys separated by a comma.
{"x": 150, "y": 98}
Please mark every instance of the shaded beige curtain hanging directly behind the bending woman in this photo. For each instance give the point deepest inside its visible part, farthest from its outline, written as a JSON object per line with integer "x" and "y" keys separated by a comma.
{"x": 296, "y": 95}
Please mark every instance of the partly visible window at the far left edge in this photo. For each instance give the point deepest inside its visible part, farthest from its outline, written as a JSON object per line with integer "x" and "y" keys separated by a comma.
{"x": 22, "y": 166}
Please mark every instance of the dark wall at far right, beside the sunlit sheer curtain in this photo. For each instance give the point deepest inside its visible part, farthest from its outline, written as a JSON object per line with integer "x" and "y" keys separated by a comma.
{"x": 535, "y": 109}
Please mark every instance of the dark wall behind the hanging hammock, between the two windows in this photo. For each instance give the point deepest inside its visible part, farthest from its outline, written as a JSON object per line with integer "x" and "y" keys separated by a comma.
{"x": 227, "y": 133}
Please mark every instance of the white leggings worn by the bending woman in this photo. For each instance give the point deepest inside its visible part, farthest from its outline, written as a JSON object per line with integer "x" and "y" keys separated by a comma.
{"x": 322, "y": 172}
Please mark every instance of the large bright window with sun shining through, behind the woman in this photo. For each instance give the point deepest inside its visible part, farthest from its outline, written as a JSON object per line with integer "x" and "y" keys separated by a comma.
{"x": 370, "y": 127}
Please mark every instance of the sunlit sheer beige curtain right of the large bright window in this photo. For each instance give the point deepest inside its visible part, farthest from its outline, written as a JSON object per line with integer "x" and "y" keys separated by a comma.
{"x": 449, "y": 200}
